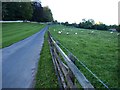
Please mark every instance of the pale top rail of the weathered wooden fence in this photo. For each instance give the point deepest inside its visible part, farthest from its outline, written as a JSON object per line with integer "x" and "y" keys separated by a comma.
{"x": 79, "y": 76}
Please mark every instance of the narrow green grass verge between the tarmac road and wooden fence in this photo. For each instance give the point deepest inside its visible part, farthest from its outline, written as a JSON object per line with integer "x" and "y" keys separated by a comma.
{"x": 45, "y": 77}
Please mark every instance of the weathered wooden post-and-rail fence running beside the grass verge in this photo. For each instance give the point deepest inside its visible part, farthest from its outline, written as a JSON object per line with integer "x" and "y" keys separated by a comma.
{"x": 66, "y": 72}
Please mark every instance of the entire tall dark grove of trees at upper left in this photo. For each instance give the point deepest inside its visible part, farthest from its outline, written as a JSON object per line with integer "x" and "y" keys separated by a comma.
{"x": 32, "y": 11}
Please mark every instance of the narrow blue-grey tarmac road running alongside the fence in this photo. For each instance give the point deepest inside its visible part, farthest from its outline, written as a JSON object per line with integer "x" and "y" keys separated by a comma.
{"x": 19, "y": 61}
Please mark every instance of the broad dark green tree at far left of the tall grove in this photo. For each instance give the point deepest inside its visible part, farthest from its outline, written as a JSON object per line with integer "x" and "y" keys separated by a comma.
{"x": 16, "y": 10}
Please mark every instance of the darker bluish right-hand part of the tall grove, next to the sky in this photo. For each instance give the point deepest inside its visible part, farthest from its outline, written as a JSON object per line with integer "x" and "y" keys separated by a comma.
{"x": 41, "y": 14}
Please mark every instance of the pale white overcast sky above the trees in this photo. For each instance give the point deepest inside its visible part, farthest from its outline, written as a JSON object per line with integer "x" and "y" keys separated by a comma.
{"x": 105, "y": 11}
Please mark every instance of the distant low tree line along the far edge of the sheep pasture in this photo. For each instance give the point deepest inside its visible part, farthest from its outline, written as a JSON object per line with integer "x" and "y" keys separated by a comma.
{"x": 90, "y": 24}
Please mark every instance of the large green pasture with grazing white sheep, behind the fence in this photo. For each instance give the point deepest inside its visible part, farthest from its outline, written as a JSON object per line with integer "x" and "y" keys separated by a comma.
{"x": 96, "y": 49}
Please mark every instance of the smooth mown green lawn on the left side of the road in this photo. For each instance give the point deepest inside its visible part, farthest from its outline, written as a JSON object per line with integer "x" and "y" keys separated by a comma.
{"x": 14, "y": 32}
